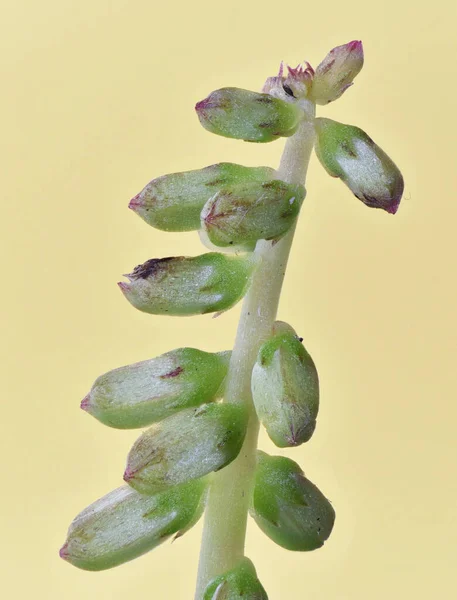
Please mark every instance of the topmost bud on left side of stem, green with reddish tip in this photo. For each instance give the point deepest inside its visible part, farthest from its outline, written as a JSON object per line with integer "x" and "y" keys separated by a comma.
{"x": 249, "y": 116}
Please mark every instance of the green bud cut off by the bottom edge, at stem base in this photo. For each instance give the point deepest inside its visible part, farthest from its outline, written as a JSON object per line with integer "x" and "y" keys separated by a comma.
{"x": 241, "y": 583}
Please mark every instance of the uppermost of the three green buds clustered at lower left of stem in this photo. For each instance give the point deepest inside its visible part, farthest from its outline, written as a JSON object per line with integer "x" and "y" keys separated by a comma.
{"x": 152, "y": 390}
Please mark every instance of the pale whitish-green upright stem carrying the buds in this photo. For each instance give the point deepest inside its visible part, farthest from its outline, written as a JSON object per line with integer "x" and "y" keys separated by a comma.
{"x": 227, "y": 508}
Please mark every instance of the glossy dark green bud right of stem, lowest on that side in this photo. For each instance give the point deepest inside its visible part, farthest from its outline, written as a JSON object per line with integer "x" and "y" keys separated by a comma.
{"x": 287, "y": 507}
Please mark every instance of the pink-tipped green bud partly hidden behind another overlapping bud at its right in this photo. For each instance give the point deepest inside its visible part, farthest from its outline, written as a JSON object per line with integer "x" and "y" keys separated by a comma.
{"x": 174, "y": 202}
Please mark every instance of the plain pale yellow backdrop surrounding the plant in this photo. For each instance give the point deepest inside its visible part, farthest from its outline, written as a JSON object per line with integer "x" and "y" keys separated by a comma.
{"x": 97, "y": 99}
